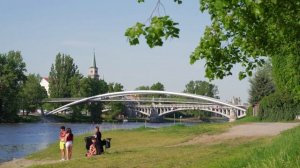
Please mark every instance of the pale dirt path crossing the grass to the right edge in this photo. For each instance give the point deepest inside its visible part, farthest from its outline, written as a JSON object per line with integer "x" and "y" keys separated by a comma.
{"x": 252, "y": 130}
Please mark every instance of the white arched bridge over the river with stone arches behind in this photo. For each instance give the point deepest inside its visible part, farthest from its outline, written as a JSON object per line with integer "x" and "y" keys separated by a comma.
{"x": 172, "y": 102}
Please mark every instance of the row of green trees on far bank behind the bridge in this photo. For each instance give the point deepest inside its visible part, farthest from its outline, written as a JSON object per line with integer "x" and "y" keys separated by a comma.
{"x": 23, "y": 93}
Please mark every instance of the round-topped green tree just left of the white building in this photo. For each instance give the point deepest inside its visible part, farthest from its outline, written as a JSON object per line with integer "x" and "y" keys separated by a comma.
{"x": 32, "y": 93}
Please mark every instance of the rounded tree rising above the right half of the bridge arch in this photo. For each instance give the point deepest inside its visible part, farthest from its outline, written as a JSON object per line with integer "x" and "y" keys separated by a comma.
{"x": 202, "y": 88}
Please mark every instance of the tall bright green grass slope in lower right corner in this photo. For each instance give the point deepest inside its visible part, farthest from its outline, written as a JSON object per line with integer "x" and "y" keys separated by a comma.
{"x": 282, "y": 151}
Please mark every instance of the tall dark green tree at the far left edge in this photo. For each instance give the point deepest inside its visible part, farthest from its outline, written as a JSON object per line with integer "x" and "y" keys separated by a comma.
{"x": 12, "y": 76}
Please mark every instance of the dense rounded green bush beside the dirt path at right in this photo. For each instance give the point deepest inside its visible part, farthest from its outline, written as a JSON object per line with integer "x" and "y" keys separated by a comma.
{"x": 278, "y": 106}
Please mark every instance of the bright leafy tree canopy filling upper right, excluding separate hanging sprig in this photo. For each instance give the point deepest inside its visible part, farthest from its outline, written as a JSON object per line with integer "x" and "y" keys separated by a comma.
{"x": 243, "y": 31}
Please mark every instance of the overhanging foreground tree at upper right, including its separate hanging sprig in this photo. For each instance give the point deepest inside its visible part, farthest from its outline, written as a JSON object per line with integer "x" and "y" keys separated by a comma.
{"x": 242, "y": 32}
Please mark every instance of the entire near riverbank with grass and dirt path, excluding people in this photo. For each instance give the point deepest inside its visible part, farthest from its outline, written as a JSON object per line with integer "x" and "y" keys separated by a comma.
{"x": 206, "y": 145}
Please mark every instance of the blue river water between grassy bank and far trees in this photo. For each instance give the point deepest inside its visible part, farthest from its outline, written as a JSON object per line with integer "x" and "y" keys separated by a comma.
{"x": 19, "y": 140}
